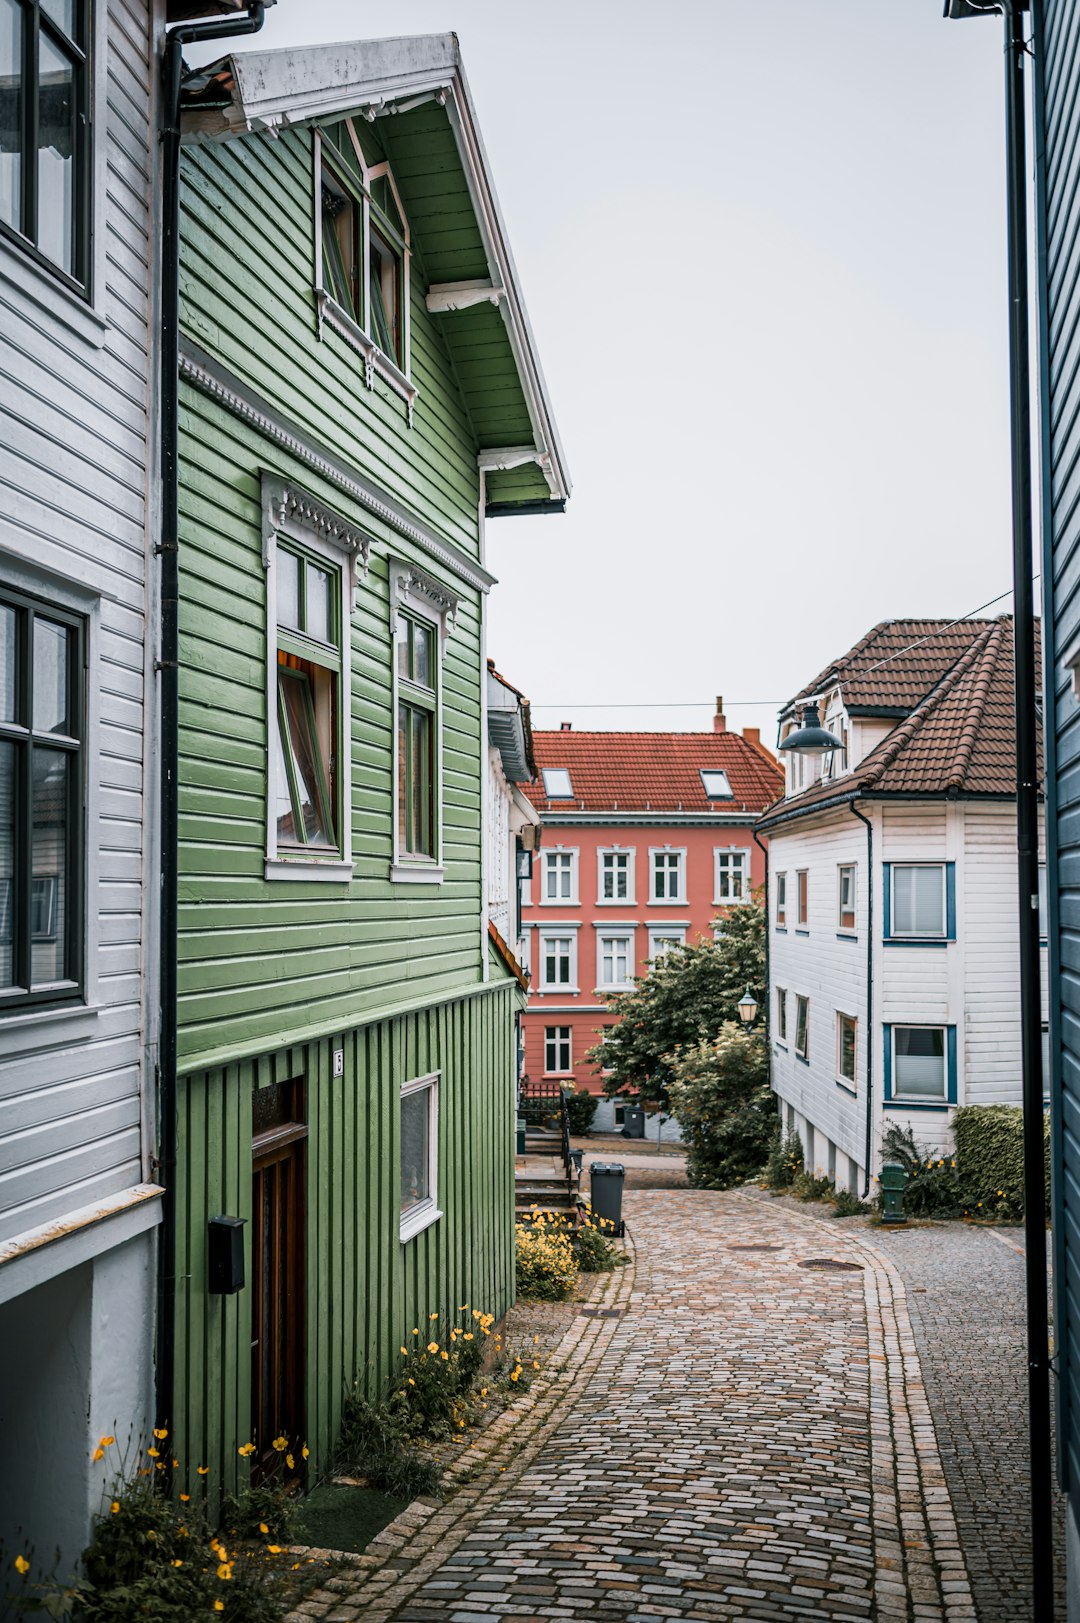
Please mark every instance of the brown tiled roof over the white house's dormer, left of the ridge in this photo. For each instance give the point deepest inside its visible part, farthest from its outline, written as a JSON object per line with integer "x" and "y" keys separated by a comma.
{"x": 894, "y": 666}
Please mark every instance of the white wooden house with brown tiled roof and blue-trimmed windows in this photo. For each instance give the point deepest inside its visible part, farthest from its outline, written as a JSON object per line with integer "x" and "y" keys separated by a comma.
{"x": 892, "y": 897}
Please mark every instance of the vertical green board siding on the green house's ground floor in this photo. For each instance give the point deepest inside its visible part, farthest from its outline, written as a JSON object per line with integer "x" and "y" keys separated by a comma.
{"x": 365, "y": 1289}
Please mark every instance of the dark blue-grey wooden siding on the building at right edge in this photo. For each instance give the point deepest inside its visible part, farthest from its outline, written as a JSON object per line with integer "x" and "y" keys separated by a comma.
{"x": 1058, "y": 218}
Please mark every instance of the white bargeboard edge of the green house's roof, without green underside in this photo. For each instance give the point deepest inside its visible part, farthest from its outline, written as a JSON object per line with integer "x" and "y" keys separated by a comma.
{"x": 275, "y": 90}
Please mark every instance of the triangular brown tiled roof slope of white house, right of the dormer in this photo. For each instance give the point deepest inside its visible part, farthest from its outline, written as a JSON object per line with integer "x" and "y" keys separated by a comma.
{"x": 959, "y": 741}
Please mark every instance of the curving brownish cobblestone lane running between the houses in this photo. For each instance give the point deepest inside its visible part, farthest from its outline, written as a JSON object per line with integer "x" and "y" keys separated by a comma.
{"x": 724, "y": 1436}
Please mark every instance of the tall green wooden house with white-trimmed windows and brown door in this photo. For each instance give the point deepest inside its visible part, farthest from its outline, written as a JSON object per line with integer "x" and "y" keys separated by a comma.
{"x": 360, "y": 394}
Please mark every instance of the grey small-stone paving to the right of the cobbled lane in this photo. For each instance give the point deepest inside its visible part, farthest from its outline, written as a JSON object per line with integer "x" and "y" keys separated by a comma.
{"x": 972, "y": 1346}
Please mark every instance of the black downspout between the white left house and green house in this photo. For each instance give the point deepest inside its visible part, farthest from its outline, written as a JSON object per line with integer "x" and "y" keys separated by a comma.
{"x": 168, "y": 668}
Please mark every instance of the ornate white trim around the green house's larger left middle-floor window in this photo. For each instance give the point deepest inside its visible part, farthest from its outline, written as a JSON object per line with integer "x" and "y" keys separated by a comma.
{"x": 292, "y": 512}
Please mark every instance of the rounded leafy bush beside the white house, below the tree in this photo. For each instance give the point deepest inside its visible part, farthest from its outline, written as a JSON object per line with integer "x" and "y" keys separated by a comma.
{"x": 725, "y": 1106}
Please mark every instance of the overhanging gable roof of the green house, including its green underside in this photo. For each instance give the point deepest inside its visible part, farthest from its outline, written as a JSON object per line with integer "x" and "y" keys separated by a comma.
{"x": 441, "y": 168}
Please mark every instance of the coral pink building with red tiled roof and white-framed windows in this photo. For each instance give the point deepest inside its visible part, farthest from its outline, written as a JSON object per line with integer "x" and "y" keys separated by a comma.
{"x": 647, "y": 838}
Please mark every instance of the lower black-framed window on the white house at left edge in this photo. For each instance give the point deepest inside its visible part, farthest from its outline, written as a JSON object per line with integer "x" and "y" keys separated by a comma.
{"x": 41, "y": 801}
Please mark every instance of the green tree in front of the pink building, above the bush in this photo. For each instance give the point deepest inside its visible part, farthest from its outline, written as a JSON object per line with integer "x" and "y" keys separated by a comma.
{"x": 685, "y": 999}
